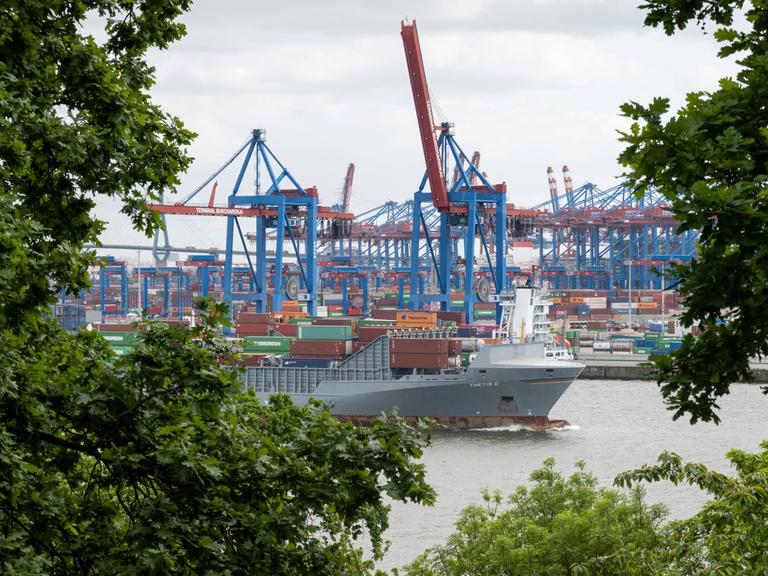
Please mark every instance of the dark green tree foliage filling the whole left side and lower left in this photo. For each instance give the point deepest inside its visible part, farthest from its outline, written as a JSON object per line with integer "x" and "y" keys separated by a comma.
{"x": 154, "y": 462}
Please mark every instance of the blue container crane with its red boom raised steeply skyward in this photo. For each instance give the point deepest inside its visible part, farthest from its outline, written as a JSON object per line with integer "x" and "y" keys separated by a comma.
{"x": 473, "y": 210}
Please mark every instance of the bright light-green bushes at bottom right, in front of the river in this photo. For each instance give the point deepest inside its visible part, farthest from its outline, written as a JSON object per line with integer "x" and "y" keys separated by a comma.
{"x": 570, "y": 526}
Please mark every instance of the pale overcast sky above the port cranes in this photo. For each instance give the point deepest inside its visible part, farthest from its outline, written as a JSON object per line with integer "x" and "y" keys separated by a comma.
{"x": 528, "y": 83}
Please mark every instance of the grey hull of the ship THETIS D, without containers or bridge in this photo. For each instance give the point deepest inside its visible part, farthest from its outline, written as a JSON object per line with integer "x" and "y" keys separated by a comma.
{"x": 511, "y": 383}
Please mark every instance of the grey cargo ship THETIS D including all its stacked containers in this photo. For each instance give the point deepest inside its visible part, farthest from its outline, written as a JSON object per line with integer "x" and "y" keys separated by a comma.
{"x": 422, "y": 364}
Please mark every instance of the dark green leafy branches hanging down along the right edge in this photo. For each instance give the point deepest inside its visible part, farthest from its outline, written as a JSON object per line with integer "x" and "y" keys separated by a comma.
{"x": 710, "y": 160}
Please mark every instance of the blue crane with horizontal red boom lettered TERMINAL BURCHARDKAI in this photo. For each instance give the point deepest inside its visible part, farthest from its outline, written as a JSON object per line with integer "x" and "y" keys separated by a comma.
{"x": 277, "y": 204}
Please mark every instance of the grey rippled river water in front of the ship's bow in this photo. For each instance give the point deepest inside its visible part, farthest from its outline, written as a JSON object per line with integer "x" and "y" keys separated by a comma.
{"x": 615, "y": 426}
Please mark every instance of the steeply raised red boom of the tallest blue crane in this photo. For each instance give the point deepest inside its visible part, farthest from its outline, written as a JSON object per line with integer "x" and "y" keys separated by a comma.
{"x": 424, "y": 116}
